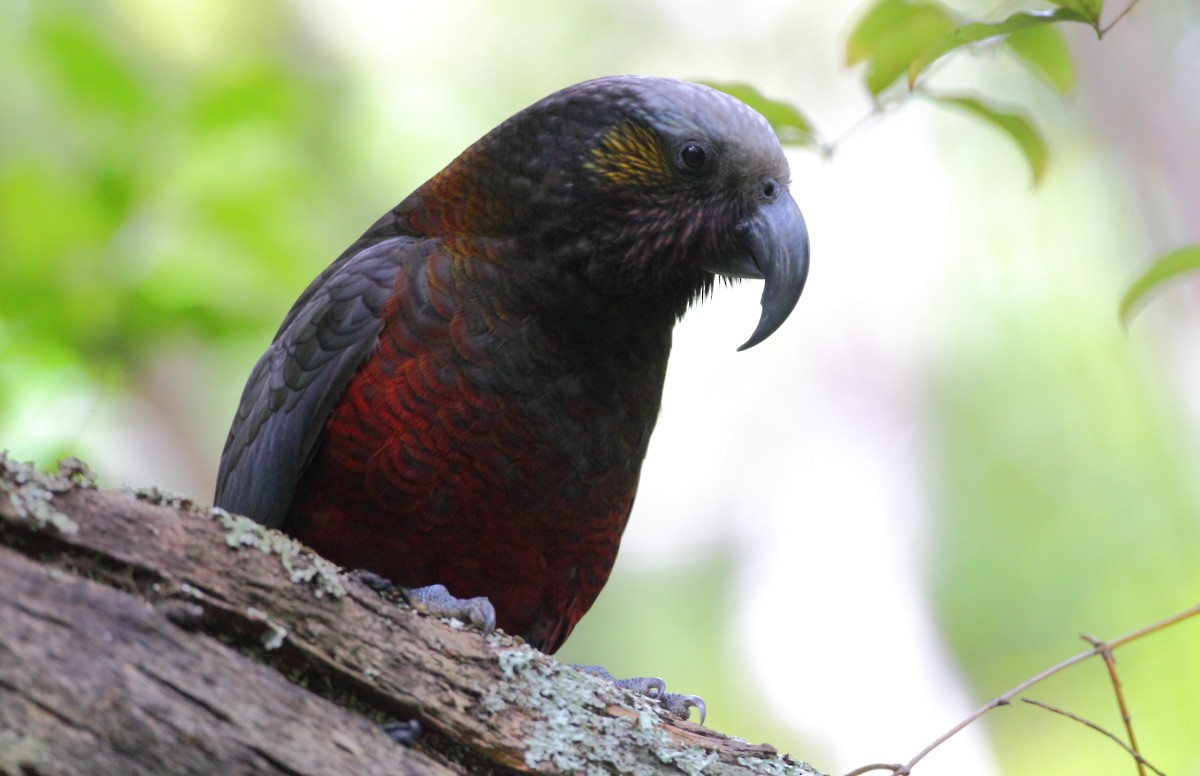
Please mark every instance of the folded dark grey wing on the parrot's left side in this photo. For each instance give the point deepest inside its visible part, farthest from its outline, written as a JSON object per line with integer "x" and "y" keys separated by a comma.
{"x": 296, "y": 386}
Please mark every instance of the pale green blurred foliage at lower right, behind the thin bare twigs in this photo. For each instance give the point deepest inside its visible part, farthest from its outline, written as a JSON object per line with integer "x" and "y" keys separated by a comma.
{"x": 1069, "y": 501}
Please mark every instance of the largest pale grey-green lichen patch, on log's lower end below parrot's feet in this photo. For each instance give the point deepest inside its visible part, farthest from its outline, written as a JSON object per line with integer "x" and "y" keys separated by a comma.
{"x": 572, "y": 732}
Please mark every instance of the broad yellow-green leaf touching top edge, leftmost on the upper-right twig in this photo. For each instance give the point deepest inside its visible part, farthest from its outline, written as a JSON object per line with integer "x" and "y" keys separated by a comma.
{"x": 891, "y": 35}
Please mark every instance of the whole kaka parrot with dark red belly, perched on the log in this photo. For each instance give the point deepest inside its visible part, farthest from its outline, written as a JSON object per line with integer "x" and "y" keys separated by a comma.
{"x": 466, "y": 395}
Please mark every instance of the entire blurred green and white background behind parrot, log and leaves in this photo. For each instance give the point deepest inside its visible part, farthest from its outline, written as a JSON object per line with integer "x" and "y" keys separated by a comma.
{"x": 949, "y": 464}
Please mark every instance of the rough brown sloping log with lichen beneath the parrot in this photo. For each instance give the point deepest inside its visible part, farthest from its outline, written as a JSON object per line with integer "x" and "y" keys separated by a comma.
{"x": 141, "y": 634}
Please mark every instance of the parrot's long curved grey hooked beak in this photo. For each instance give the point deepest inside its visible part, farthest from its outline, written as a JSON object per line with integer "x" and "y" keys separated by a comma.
{"x": 777, "y": 252}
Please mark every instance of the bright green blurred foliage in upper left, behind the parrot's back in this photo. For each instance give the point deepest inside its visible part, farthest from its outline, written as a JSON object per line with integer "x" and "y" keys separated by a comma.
{"x": 149, "y": 193}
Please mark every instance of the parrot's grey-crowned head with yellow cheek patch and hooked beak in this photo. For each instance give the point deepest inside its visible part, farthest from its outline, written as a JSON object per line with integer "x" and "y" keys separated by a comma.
{"x": 644, "y": 190}
